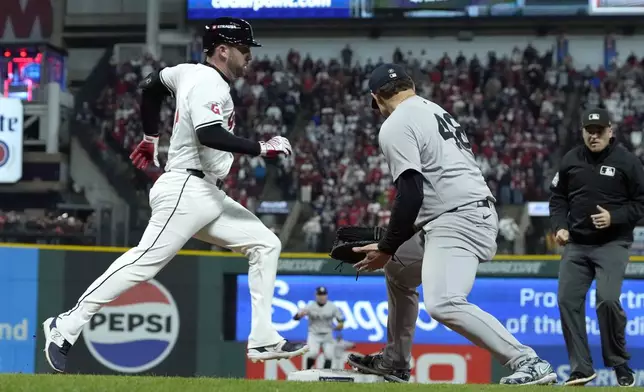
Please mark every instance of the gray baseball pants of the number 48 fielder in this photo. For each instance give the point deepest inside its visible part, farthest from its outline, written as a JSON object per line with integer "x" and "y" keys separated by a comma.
{"x": 444, "y": 258}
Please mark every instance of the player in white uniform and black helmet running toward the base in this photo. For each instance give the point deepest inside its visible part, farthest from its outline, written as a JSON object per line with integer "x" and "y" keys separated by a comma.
{"x": 187, "y": 200}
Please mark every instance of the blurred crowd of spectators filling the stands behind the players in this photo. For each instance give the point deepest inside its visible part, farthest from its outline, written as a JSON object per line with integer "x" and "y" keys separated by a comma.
{"x": 511, "y": 106}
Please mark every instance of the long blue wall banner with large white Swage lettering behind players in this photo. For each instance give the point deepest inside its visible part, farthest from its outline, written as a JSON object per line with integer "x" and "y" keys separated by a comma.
{"x": 527, "y": 307}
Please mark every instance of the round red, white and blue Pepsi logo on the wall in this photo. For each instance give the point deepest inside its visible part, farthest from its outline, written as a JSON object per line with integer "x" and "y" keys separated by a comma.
{"x": 135, "y": 332}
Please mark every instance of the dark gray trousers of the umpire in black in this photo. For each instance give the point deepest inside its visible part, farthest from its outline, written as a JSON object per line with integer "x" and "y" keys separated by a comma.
{"x": 580, "y": 265}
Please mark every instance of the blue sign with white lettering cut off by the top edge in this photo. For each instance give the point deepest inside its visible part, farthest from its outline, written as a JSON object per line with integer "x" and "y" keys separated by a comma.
{"x": 268, "y": 9}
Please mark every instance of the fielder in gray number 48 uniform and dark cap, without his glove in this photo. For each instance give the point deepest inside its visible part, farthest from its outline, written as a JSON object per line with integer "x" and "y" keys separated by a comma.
{"x": 445, "y": 220}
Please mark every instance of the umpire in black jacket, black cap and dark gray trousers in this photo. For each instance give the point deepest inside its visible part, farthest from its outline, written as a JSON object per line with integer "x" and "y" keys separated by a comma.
{"x": 597, "y": 199}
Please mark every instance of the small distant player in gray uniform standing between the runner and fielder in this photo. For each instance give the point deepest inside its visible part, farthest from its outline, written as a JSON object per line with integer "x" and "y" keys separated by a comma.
{"x": 321, "y": 314}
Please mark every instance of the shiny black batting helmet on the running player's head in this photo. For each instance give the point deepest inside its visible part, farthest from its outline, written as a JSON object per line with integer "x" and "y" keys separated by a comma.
{"x": 232, "y": 31}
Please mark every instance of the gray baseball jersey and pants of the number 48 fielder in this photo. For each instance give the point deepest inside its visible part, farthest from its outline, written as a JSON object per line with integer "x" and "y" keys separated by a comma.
{"x": 457, "y": 225}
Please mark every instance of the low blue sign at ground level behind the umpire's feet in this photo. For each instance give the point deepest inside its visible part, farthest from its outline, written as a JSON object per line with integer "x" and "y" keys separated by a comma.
{"x": 558, "y": 357}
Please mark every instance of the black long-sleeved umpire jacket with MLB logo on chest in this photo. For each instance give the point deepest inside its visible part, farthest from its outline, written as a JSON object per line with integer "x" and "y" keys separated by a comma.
{"x": 612, "y": 179}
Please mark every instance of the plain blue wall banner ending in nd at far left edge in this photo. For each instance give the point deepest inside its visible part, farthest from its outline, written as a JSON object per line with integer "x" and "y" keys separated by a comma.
{"x": 18, "y": 309}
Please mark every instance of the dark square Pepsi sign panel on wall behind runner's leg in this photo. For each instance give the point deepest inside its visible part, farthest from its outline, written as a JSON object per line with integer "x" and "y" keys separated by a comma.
{"x": 150, "y": 329}
